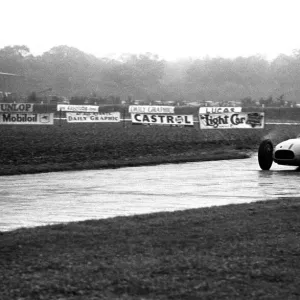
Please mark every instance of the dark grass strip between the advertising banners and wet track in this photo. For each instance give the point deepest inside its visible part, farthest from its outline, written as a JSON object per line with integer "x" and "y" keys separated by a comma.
{"x": 32, "y": 149}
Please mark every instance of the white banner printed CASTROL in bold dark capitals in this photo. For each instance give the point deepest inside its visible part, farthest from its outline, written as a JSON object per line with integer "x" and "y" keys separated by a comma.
{"x": 172, "y": 120}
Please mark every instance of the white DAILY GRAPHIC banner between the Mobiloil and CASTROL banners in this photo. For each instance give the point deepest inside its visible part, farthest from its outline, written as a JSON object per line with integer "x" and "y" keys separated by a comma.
{"x": 93, "y": 117}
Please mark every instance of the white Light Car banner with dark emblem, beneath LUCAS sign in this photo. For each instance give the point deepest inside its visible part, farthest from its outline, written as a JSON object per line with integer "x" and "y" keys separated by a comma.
{"x": 232, "y": 120}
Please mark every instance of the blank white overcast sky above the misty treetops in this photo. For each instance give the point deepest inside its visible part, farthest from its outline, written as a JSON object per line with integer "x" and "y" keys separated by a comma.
{"x": 170, "y": 28}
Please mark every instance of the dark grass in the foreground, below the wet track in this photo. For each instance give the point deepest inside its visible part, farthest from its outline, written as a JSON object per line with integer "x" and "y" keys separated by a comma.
{"x": 245, "y": 251}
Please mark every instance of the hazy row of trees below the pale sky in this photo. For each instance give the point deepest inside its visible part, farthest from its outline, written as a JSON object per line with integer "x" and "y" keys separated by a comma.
{"x": 71, "y": 72}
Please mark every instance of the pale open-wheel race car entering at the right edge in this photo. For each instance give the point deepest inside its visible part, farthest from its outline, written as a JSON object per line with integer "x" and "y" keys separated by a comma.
{"x": 285, "y": 153}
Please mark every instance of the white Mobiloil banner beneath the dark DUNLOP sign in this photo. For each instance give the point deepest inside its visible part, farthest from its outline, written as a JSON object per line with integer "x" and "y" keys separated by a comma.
{"x": 26, "y": 119}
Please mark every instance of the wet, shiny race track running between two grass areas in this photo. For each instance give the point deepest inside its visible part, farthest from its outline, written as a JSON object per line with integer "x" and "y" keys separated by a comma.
{"x": 33, "y": 200}
